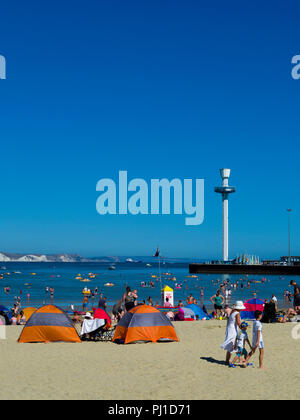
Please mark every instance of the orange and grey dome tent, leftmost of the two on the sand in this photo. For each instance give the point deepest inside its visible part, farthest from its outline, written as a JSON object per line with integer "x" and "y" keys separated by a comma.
{"x": 49, "y": 324}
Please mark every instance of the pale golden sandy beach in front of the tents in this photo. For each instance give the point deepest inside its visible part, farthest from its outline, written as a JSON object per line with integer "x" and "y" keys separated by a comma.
{"x": 190, "y": 369}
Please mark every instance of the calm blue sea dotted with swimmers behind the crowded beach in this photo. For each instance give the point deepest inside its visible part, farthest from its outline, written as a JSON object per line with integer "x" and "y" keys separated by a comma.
{"x": 68, "y": 290}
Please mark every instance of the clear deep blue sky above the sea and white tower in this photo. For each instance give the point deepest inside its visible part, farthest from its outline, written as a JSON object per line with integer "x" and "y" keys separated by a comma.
{"x": 158, "y": 88}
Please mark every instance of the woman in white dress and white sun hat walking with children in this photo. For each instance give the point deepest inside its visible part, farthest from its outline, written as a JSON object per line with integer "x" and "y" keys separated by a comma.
{"x": 234, "y": 322}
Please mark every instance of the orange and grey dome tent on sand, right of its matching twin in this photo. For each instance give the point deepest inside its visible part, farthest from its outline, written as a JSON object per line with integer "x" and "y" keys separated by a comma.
{"x": 144, "y": 323}
